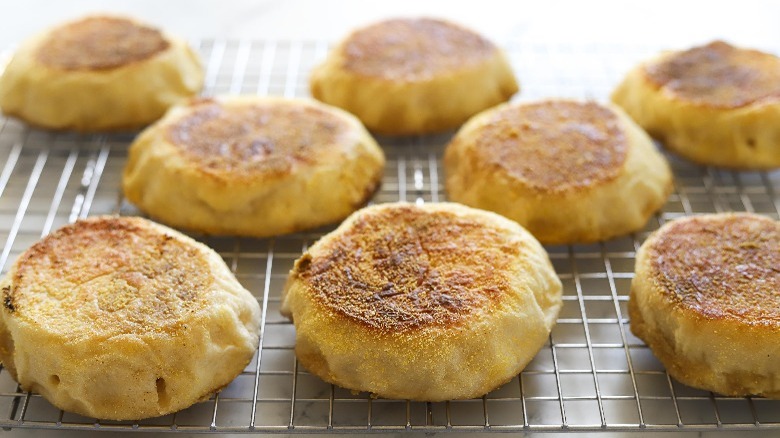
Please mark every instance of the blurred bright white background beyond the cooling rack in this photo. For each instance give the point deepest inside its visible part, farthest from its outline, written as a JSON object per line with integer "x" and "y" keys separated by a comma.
{"x": 671, "y": 23}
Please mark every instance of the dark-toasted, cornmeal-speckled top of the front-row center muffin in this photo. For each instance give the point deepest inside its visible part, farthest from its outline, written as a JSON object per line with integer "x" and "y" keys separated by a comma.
{"x": 401, "y": 268}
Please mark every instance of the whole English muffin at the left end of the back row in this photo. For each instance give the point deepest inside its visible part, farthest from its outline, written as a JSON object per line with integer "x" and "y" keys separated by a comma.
{"x": 98, "y": 73}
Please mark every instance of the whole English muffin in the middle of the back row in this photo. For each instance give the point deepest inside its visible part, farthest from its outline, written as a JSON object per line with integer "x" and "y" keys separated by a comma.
{"x": 413, "y": 76}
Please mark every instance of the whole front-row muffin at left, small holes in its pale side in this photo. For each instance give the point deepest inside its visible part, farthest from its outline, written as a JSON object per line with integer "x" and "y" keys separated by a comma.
{"x": 120, "y": 318}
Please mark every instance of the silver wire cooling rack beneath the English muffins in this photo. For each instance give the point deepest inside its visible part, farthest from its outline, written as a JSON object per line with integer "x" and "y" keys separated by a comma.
{"x": 592, "y": 374}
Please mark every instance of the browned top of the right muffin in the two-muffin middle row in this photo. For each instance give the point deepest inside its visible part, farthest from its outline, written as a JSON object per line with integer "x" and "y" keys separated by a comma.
{"x": 554, "y": 146}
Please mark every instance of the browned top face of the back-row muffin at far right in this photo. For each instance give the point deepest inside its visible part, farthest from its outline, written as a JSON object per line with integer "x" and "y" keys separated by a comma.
{"x": 718, "y": 75}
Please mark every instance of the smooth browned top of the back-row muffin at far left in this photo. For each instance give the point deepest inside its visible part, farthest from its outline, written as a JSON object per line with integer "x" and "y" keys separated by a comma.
{"x": 100, "y": 43}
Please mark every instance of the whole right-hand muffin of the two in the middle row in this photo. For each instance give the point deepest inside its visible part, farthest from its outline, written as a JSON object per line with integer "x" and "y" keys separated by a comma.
{"x": 568, "y": 171}
